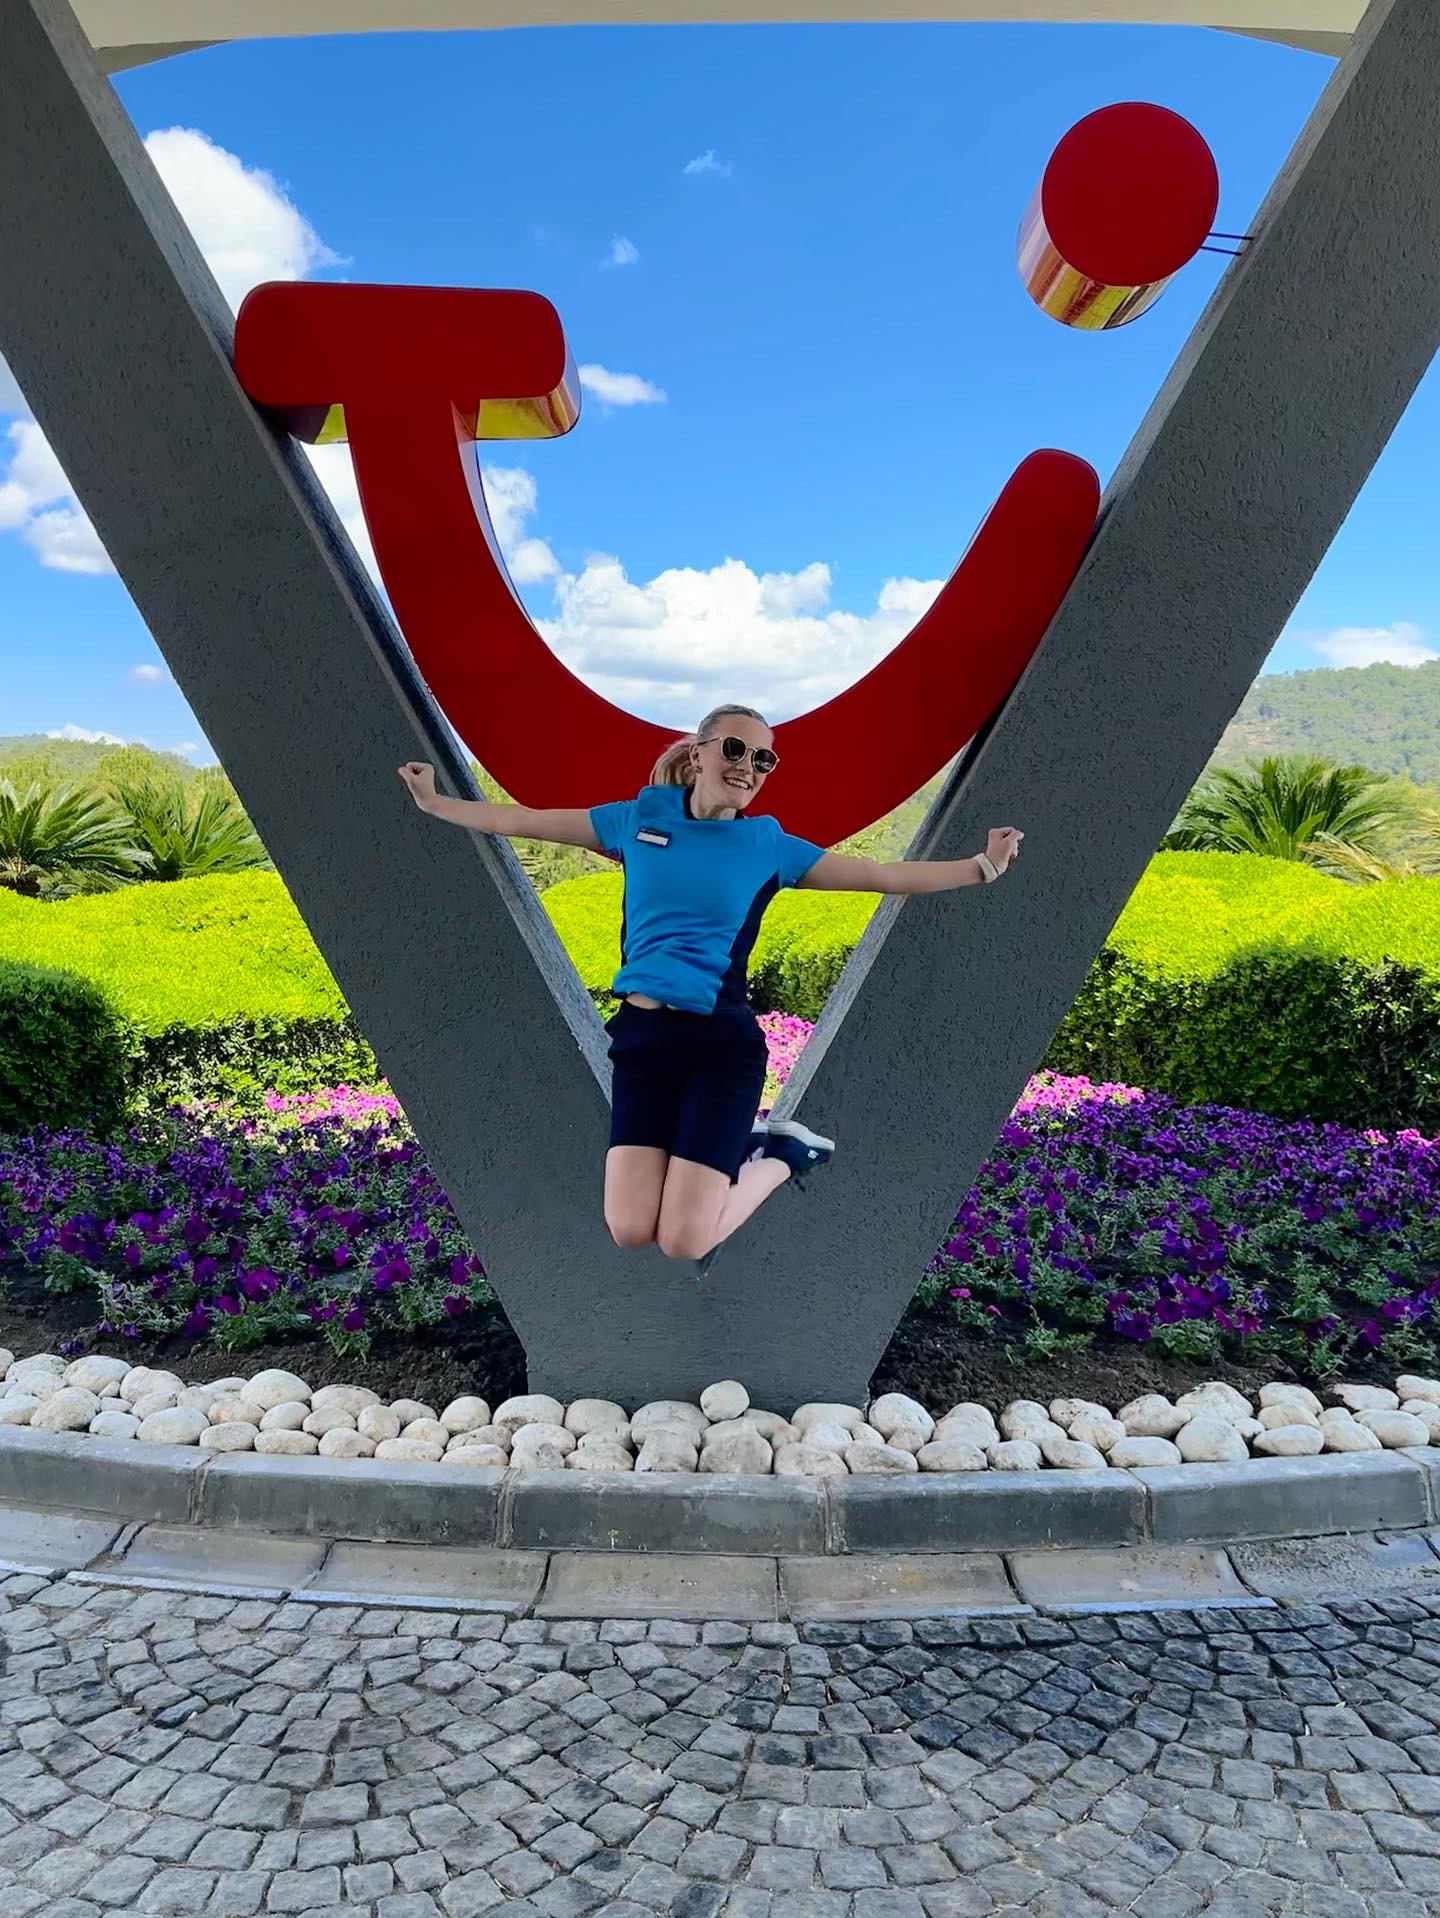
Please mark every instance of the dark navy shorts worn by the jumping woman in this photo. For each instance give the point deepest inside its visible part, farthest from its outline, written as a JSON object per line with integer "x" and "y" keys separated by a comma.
{"x": 687, "y": 1083}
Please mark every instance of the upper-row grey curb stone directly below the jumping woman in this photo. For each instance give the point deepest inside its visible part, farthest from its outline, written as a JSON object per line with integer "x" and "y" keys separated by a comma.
{"x": 662, "y": 1512}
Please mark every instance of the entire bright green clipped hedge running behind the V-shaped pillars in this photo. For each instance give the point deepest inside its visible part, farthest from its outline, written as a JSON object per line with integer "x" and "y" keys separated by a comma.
{"x": 1228, "y": 981}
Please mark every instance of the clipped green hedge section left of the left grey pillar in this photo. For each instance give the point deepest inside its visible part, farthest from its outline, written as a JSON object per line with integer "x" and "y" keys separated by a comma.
{"x": 204, "y": 989}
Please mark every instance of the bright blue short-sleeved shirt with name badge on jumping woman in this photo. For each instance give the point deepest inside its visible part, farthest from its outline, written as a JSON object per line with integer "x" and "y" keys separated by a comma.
{"x": 695, "y": 895}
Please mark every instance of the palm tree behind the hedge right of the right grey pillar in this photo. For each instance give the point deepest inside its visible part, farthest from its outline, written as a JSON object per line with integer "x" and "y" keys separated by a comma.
{"x": 1291, "y": 807}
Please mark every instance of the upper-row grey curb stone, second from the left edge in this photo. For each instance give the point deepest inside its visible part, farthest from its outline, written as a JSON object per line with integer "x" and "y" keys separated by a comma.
{"x": 312, "y": 1497}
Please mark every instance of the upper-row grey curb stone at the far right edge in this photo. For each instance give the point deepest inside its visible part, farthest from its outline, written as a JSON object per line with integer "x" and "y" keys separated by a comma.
{"x": 1288, "y": 1497}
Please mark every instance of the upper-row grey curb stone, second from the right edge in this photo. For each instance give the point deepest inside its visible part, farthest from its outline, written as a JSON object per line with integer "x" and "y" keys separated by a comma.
{"x": 1000, "y": 1512}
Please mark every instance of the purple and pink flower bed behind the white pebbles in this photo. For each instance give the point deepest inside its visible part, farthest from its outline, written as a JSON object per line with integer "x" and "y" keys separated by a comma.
{"x": 1102, "y": 1213}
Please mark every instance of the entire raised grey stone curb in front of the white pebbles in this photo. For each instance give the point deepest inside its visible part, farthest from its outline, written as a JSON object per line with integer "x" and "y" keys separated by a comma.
{"x": 712, "y": 1514}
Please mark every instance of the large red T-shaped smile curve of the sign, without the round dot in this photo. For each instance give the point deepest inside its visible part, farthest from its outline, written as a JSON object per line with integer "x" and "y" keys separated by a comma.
{"x": 415, "y": 377}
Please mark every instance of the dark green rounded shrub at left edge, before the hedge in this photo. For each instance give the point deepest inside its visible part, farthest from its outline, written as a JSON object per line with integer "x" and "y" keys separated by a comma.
{"x": 64, "y": 1052}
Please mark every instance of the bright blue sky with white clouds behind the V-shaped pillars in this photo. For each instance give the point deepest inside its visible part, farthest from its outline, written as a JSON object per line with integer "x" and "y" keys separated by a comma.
{"x": 799, "y": 243}
